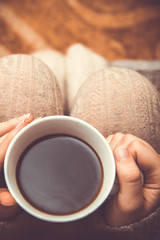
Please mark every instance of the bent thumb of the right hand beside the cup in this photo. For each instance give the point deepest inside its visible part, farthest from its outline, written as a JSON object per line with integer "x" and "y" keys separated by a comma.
{"x": 130, "y": 197}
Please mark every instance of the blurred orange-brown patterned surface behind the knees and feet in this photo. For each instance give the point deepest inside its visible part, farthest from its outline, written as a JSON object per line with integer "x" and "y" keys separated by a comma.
{"x": 115, "y": 29}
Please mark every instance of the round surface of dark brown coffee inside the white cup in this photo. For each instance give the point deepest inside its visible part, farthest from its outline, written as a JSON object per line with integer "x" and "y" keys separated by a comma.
{"x": 59, "y": 174}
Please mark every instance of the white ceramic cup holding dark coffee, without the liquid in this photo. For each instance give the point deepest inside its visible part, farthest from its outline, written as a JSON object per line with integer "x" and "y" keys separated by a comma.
{"x": 60, "y": 125}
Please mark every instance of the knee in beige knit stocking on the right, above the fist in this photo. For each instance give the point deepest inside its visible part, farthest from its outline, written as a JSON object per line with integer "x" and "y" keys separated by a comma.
{"x": 120, "y": 100}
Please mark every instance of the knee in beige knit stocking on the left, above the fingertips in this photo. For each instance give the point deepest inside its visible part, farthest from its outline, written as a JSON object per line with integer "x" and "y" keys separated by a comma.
{"x": 27, "y": 85}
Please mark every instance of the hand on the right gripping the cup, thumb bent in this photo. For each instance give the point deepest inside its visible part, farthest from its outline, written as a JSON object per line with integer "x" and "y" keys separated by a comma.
{"x": 138, "y": 196}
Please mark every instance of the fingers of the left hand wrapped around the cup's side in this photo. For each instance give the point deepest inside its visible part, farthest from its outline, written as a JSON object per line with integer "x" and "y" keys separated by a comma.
{"x": 8, "y": 130}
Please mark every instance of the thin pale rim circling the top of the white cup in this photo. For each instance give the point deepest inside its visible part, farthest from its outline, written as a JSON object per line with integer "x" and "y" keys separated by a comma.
{"x": 50, "y": 217}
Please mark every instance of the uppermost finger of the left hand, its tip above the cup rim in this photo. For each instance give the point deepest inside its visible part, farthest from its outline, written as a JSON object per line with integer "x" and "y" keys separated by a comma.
{"x": 7, "y": 126}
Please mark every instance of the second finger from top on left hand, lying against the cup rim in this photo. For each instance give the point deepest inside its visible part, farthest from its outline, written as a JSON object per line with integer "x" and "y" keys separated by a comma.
{"x": 5, "y": 143}
